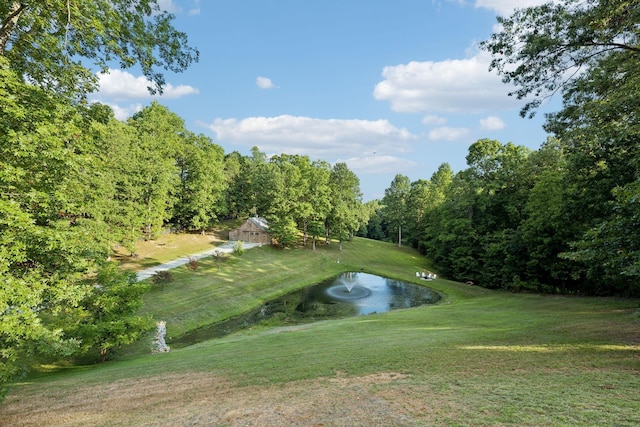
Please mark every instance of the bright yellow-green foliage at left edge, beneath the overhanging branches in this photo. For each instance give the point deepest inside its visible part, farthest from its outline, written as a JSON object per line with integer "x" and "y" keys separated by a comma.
{"x": 49, "y": 237}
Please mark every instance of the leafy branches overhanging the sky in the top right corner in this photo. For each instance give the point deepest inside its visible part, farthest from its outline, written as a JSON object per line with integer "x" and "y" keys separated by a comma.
{"x": 538, "y": 47}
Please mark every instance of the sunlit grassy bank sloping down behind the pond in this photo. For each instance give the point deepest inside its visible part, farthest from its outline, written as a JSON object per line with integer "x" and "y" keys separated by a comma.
{"x": 220, "y": 289}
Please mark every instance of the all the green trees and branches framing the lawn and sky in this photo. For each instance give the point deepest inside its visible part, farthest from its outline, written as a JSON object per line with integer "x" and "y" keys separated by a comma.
{"x": 75, "y": 182}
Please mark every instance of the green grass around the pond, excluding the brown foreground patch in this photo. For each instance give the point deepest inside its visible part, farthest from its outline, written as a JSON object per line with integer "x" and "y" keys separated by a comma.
{"x": 480, "y": 358}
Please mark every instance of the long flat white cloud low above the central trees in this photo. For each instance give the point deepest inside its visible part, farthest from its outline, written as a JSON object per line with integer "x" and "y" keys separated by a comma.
{"x": 327, "y": 139}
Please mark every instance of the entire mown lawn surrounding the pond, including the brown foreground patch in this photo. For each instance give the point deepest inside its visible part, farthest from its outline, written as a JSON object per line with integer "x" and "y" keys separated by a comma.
{"x": 480, "y": 357}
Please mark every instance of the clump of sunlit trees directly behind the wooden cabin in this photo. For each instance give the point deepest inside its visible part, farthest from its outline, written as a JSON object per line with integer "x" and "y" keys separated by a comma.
{"x": 297, "y": 196}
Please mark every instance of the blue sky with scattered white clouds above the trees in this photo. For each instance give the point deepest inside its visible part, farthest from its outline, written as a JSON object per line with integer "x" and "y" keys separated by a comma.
{"x": 387, "y": 86}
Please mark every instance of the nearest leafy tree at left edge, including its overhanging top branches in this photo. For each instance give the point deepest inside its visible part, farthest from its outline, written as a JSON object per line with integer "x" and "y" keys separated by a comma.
{"x": 53, "y": 196}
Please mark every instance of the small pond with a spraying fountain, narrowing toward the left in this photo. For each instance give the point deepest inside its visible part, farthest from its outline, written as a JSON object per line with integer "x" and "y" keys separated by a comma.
{"x": 349, "y": 294}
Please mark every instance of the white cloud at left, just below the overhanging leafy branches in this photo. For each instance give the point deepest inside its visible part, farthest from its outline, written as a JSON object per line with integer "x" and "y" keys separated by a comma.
{"x": 118, "y": 85}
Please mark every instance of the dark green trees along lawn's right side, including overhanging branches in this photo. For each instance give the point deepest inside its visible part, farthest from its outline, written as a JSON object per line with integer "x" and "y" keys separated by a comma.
{"x": 565, "y": 217}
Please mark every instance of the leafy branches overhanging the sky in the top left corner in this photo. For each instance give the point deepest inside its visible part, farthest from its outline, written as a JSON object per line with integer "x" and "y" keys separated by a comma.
{"x": 46, "y": 41}
